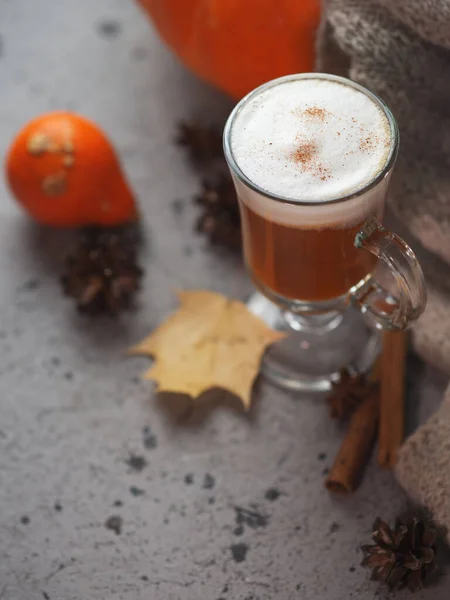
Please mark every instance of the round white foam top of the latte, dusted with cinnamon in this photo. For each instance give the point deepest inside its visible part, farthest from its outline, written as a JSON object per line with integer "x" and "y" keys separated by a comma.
{"x": 311, "y": 139}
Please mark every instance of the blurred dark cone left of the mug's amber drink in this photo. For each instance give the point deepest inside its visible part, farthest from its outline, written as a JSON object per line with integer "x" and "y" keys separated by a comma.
{"x": 220, "y": 220}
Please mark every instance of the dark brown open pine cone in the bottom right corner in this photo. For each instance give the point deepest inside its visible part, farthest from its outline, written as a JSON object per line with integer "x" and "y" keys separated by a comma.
{"x": 402, "y": 557}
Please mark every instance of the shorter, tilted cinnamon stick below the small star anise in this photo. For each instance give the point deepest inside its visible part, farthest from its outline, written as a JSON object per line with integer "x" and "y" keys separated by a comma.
{"x": 351, "y": 458}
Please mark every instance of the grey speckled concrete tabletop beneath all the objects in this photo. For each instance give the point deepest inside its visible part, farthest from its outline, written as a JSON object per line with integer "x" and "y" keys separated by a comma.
{"x": 73, "y": 410}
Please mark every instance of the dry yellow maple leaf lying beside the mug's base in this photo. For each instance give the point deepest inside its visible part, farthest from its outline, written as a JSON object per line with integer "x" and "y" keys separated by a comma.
{"x": 210, "y": 342}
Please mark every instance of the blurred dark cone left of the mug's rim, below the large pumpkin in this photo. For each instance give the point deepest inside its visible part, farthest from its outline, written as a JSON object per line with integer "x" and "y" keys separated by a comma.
{"x": 203, "y": 143}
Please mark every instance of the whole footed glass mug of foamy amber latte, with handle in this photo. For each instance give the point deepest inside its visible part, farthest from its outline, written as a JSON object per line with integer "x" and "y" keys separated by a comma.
{"x": 311, "y": 157}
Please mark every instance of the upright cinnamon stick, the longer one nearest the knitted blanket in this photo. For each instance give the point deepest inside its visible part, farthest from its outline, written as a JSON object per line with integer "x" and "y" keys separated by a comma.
{"x": 392, "y": 400}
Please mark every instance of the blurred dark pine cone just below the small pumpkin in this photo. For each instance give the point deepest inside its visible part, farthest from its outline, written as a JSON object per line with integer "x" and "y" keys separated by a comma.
{"x": 103, "y": 275}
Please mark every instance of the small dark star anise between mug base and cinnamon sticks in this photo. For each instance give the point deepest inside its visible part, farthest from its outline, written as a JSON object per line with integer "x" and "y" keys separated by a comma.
{"x": 347, "y": 394}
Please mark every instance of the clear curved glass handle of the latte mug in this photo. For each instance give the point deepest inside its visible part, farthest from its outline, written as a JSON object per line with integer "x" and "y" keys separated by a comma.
{"x": 401, "y": 308}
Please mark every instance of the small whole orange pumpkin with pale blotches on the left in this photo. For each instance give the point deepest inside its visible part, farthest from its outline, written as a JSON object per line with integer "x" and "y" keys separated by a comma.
{"x": 64, "y": 171}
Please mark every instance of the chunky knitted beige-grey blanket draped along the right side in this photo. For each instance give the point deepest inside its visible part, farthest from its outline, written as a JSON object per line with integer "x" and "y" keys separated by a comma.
{"x": 401, "y": 50}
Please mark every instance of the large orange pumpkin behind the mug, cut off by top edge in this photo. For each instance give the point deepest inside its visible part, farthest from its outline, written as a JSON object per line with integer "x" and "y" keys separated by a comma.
{"x": 238, "y": 44}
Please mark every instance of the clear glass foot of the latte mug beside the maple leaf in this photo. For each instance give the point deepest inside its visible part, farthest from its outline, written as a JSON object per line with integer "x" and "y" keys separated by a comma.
{"x": 311, "y": 359}
